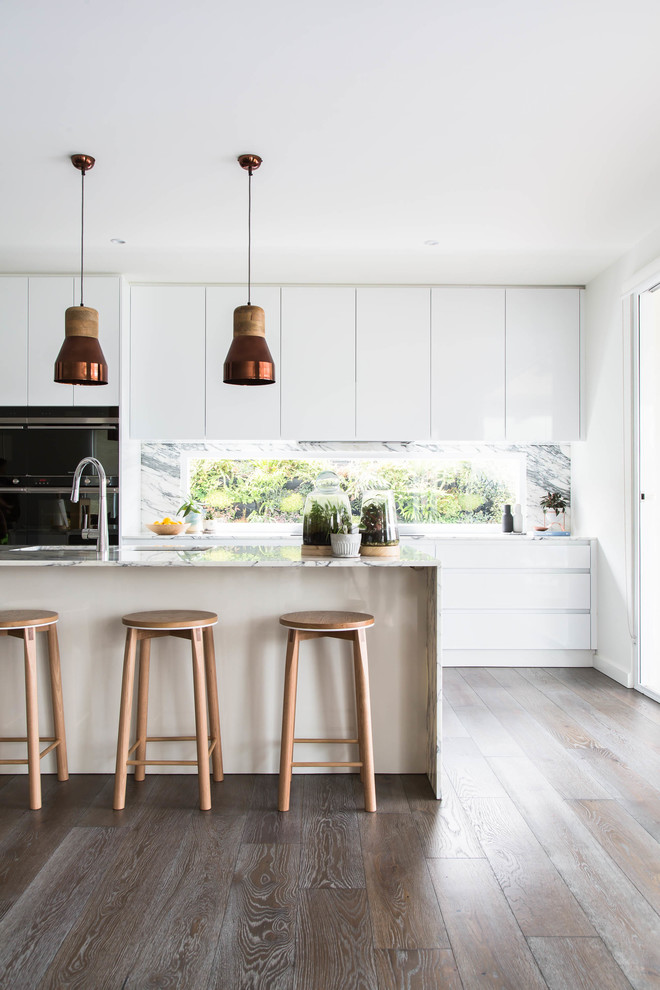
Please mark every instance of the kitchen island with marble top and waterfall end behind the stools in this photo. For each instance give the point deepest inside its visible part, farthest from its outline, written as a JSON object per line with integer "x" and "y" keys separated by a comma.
{"x": 249, "y": 587}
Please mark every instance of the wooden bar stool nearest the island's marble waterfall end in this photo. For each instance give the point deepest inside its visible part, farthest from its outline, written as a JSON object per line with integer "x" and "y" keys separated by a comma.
{"x": 338, "y": 625}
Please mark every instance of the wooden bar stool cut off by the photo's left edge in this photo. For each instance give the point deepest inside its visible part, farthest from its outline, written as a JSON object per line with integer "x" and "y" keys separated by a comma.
{"x": 25, "y": 624}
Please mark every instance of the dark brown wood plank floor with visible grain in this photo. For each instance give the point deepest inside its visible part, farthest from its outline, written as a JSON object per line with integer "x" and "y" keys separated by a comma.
{"x": 539, "y": 869}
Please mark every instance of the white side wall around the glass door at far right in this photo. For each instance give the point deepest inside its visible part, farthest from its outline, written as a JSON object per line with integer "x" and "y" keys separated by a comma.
{"x": 601, "y": 494}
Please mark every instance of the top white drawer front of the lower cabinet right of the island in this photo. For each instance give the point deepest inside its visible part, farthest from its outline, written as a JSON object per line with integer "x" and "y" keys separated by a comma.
{"x": 517, "y": 553}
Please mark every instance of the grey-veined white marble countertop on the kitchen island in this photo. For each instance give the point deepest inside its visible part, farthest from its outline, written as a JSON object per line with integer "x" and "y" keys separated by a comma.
{"x": 218, "y": 555}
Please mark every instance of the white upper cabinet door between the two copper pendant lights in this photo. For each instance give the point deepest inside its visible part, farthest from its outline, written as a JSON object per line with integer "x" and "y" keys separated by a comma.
{"x": 167, "y": 385}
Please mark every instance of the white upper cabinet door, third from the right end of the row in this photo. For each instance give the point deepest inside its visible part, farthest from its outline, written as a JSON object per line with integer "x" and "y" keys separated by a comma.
{"x": 393, "y": 364}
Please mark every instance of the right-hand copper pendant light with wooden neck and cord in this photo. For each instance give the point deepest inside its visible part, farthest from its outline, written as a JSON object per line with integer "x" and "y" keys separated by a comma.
{"x": 248, "y": 361}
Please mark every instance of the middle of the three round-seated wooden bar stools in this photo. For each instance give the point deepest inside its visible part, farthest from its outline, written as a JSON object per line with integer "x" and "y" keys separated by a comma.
{"x": 142, "y": 628}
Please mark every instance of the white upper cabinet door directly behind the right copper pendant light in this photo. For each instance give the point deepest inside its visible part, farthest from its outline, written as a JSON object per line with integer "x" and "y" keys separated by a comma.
{"x": 240, "y": 412}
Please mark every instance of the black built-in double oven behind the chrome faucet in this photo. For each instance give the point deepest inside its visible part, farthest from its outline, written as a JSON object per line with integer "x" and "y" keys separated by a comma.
{"x": 39, "y": 451}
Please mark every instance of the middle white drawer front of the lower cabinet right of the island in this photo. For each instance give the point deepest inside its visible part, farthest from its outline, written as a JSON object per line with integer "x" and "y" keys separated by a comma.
{"x": 515, "y": 589}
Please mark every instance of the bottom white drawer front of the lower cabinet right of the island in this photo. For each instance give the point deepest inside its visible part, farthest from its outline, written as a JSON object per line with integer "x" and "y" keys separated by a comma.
{"x": 516, "y": 631}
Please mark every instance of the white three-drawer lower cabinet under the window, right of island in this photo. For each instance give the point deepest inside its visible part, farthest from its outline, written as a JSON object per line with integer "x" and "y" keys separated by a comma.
{"x": 517, "y": 604}
